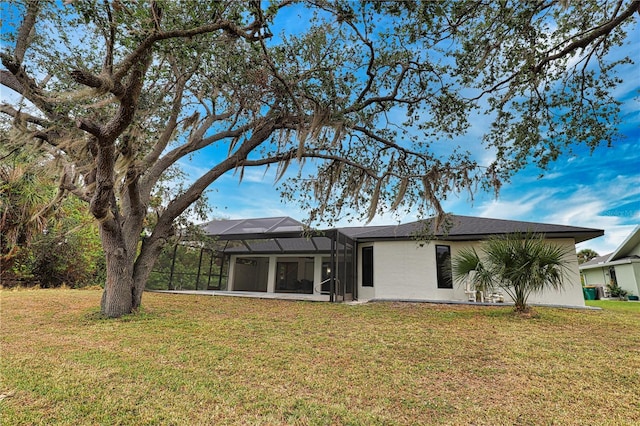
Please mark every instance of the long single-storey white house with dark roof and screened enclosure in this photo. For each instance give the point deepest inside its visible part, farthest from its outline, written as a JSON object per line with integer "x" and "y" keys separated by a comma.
{"x": 374, "y": 262}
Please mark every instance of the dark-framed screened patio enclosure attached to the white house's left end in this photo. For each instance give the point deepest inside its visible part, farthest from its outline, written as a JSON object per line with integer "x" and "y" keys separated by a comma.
{"x": 281, "y": 255}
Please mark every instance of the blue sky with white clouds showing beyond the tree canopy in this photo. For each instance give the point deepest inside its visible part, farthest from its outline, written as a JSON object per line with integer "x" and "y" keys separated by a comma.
{"x": 601, "y": 190}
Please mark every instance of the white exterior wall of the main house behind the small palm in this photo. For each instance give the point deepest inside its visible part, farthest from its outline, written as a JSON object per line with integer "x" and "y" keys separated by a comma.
{"x": 407, "y": 270}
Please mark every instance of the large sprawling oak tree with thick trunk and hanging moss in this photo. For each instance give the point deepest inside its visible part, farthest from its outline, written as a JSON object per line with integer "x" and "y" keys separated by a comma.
{"x": 367, "y": 99}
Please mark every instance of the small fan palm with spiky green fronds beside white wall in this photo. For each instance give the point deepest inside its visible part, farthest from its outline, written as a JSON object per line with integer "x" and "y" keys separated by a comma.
{"x": 520, "y": 264}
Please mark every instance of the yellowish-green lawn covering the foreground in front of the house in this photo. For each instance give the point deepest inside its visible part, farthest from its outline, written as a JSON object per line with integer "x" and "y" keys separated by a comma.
{"x": 190, "y": 360}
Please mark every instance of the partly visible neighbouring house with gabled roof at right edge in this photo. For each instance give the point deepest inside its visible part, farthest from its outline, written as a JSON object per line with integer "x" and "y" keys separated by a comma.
{"x": 621, "y": 267}
